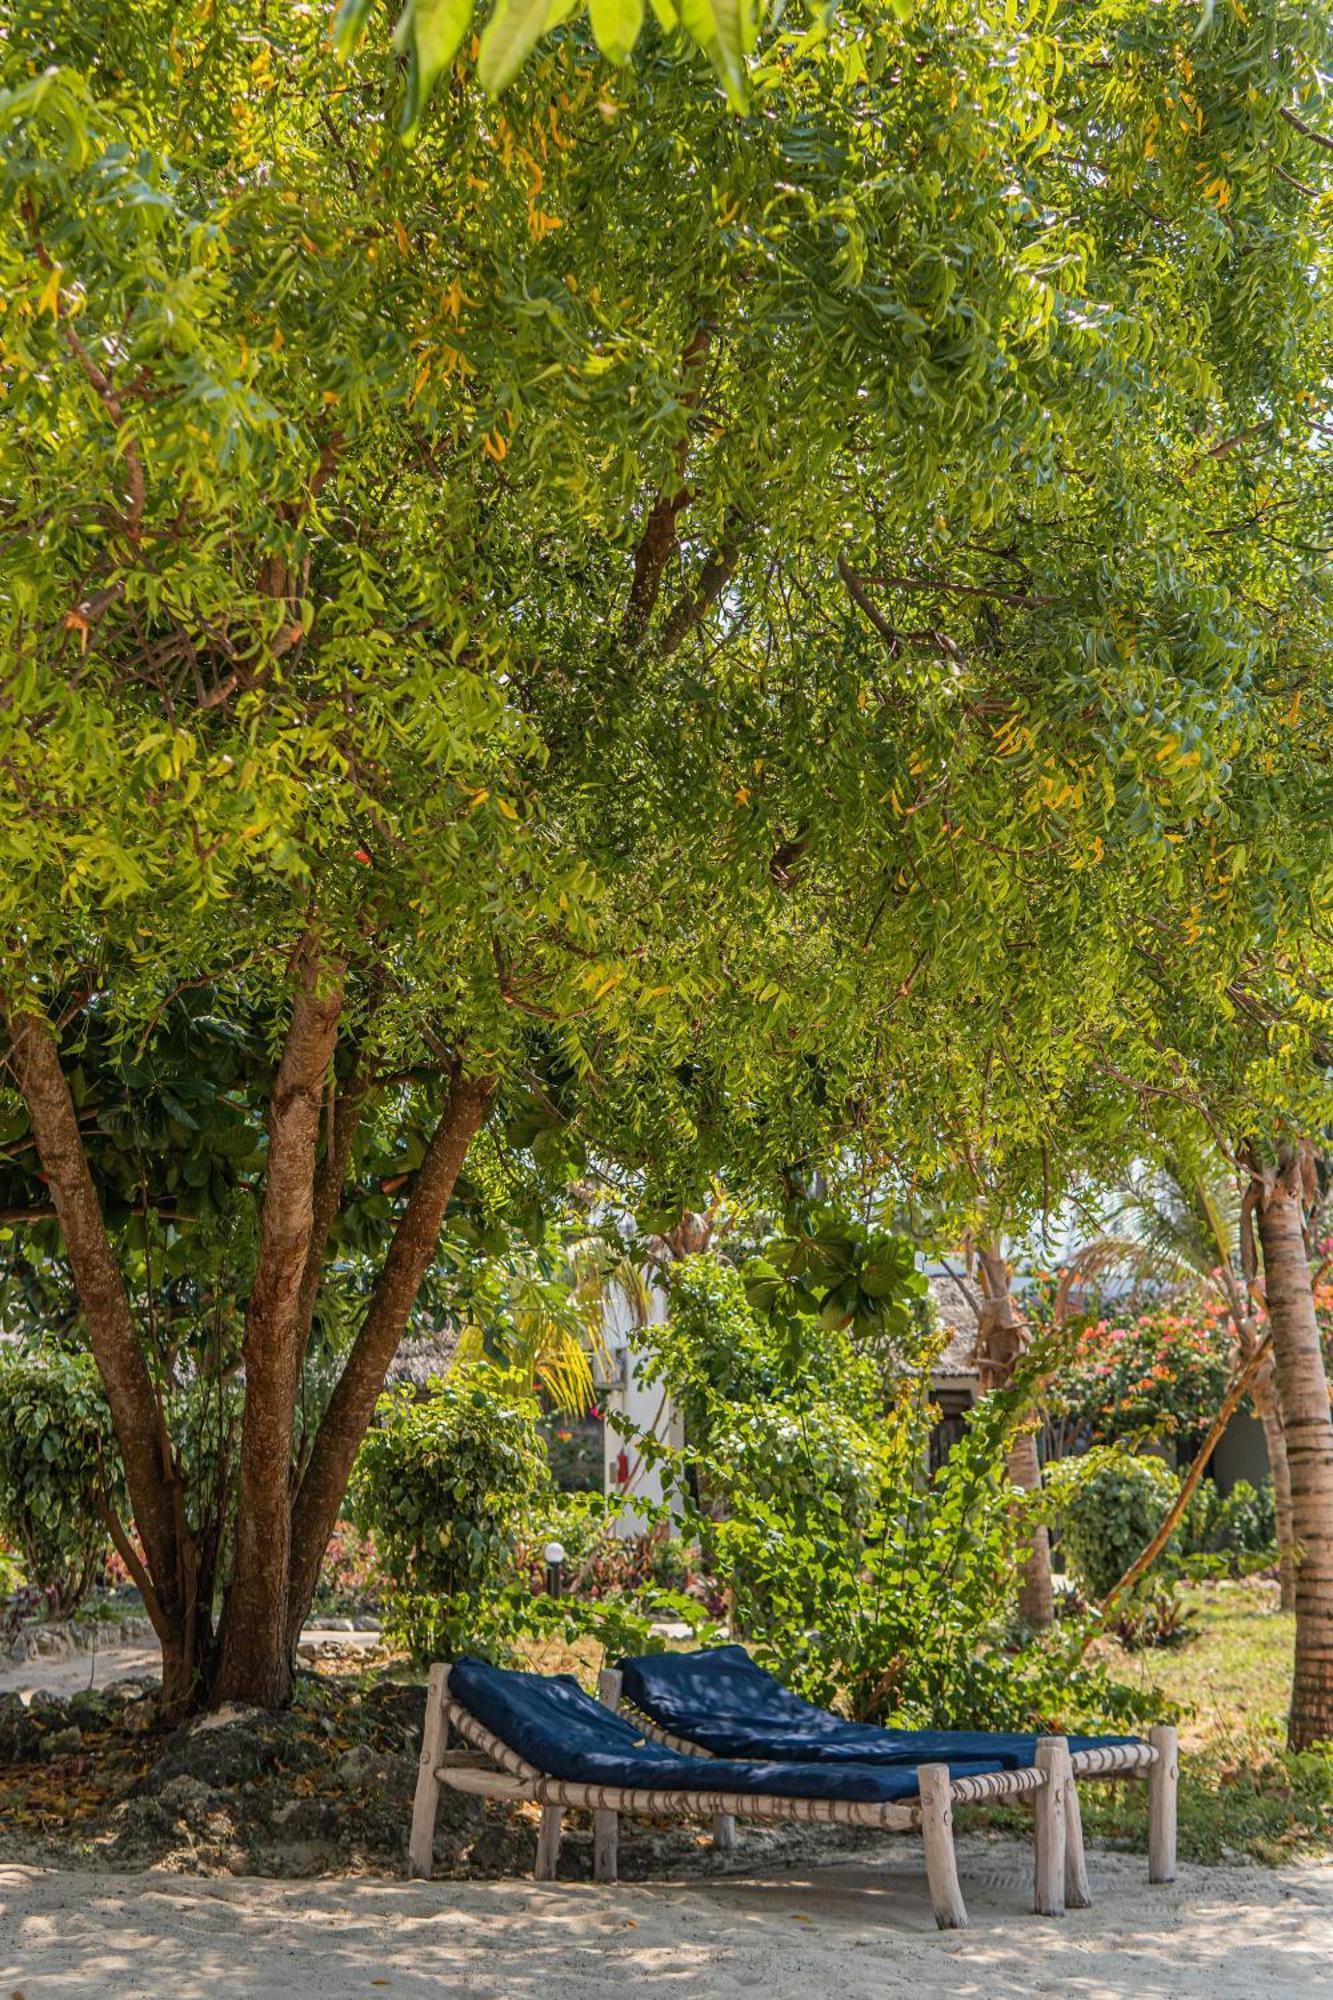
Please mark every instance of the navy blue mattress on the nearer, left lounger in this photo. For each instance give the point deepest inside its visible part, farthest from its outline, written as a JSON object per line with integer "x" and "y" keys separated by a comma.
{"x": 567, "y": 1735}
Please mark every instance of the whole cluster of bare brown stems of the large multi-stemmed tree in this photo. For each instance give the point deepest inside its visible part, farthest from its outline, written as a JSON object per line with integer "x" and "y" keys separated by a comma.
{"x": 281, "y": 1527}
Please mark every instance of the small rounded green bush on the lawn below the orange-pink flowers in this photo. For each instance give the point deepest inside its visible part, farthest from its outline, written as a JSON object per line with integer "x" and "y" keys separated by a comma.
{"x": 1110, "y": 1507}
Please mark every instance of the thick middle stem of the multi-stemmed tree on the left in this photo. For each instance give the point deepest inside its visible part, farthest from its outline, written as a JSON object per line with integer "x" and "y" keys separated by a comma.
{"x": 255, "y": 1659}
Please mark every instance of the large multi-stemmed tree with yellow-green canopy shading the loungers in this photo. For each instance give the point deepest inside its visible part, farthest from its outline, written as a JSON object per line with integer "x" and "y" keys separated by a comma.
{"x": 625, "y": 623}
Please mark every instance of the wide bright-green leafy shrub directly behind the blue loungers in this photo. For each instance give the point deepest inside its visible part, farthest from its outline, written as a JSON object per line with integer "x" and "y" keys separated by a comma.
{"x": 898, "y": 1603}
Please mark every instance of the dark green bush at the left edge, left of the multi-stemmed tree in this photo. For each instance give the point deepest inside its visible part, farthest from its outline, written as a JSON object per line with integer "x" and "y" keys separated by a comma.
{"x": 59, "y": 1469}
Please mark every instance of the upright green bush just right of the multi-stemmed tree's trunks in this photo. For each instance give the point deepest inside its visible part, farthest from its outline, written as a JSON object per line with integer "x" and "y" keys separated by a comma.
{"x": 445, "y": 1483}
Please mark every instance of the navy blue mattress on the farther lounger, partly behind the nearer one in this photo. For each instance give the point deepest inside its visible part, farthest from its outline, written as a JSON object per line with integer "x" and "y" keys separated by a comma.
{"x": 732, "y": 1707}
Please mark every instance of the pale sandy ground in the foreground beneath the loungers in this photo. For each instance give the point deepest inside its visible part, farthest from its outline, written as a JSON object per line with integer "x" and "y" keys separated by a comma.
{"x": 850, "y": 1931}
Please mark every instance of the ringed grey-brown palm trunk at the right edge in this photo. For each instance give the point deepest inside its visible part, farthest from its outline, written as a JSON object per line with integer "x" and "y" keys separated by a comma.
{"x": 1304, "y": 1397}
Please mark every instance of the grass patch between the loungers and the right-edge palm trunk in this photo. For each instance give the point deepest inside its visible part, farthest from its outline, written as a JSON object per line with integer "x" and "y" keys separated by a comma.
{"x": 1244, "y": 1795}
